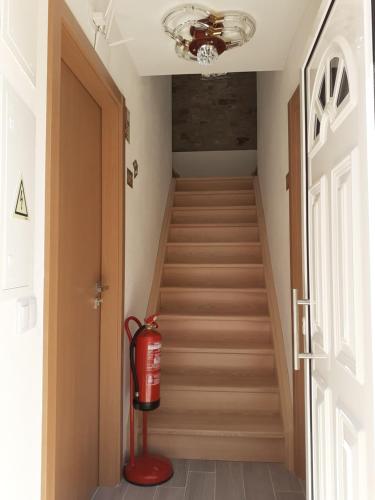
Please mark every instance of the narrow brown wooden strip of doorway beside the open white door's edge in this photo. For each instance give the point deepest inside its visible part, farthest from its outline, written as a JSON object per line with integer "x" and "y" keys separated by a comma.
{"x": 295, "y": 231}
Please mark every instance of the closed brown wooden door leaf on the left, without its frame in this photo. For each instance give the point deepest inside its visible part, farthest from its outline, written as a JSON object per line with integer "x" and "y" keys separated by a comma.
{"x": 79, "y": 271}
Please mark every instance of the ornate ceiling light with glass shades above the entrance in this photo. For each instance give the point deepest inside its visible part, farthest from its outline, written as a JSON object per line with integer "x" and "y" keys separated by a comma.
{"x": 202, "y": 35}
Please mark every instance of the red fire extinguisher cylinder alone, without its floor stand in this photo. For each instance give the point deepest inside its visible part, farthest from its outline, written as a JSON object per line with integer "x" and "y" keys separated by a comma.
{"x": 145, "y": 348}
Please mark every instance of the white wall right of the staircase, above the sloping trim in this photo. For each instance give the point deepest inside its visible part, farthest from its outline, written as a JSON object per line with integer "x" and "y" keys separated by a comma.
{"x": 274, "y": 92}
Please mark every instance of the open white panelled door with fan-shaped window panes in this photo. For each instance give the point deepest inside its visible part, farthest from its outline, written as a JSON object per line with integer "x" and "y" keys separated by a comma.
{"x": 339, "y": 118}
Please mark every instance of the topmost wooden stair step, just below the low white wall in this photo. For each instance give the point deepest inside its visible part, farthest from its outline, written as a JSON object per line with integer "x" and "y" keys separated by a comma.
{"x": 214, "y": 184}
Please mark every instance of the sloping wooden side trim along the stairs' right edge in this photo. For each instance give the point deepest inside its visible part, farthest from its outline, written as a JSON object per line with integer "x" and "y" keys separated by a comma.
{"x": 278, "y": 339}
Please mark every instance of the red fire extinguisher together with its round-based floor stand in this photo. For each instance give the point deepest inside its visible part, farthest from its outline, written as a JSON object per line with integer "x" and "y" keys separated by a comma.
{"x": 145, "y": 345}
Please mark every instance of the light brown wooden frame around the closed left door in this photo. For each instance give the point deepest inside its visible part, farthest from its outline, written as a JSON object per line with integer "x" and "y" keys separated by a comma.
{"x": 67, "y": 42}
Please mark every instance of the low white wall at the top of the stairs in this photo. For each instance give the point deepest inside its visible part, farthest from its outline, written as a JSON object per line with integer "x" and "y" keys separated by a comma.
{"x": 215, "y": 163}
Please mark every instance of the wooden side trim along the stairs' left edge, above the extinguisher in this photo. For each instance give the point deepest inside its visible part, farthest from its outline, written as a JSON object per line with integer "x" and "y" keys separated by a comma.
{"x": 153, "y": 302}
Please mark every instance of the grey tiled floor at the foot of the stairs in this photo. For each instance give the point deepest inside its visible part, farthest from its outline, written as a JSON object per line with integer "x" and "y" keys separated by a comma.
{"x": 203, "y": 480}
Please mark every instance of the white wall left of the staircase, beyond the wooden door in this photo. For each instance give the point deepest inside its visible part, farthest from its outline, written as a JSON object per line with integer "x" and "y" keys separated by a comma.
{"x": 150, "y": 104}
